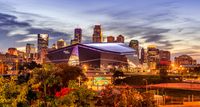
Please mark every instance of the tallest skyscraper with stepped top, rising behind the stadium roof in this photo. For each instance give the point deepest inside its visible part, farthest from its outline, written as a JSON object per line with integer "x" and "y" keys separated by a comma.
{"x": 97, "y": 35}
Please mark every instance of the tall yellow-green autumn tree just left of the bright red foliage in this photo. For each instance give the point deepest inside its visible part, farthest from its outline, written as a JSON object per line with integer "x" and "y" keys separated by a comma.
{"x": 45, "y": 82}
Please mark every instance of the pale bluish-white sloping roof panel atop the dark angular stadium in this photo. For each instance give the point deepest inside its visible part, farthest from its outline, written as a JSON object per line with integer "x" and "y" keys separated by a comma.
{"x": 112, "y": 47}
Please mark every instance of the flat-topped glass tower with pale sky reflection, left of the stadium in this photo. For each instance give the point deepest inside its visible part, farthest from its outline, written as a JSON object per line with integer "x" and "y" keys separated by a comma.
{"x": 43, "y": 41}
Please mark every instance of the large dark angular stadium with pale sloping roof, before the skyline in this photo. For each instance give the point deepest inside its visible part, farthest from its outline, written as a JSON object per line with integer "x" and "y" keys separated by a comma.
{"x": 96, "y": 55}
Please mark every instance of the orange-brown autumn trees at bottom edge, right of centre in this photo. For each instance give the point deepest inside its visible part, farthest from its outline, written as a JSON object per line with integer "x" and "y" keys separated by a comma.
{"x": 125, "y": 97}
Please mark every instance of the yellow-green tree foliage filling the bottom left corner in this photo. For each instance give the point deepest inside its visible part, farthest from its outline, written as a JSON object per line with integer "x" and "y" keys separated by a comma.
{"x": 12, "y": 94}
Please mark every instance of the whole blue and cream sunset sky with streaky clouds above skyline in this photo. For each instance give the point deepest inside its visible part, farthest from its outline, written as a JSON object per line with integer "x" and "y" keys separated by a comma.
{"x": 172, "y": 25}
